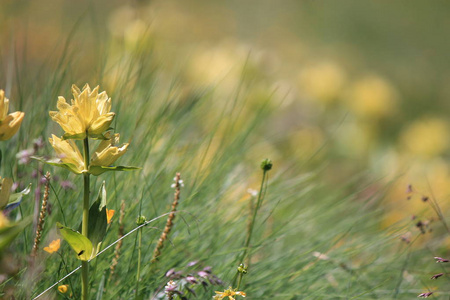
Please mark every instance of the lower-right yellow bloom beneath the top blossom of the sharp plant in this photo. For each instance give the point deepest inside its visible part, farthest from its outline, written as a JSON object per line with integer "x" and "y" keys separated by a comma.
{"x": 107, "y": 152}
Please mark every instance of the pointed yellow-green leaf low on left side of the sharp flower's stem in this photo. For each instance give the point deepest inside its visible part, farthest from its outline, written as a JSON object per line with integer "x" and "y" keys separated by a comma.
{"x": 78, "y": 242}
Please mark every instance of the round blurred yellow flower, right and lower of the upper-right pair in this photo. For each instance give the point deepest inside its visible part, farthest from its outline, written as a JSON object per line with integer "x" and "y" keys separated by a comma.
{"x": 372, "y": 96}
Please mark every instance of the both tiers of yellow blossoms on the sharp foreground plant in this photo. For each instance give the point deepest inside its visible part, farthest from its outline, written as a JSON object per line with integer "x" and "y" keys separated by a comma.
{"x": 88, "y": 116}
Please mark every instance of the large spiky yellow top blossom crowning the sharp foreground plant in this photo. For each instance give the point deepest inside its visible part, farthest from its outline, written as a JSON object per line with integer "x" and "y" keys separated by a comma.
{"x": 89, "y": 113}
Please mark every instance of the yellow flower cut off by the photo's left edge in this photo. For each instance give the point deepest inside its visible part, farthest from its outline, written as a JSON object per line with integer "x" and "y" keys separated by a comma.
{"x": 9, "y": 124}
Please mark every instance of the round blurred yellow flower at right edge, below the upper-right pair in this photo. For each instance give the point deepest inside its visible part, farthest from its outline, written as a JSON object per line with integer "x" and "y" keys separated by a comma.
{"x": 428, "y": 137}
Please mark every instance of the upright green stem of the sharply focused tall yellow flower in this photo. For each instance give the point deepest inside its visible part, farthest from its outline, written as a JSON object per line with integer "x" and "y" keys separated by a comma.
{"x": 85, "y": 224}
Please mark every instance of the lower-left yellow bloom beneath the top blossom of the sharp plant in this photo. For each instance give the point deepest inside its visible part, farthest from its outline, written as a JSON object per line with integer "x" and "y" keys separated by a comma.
{"x": 68, "y": 153}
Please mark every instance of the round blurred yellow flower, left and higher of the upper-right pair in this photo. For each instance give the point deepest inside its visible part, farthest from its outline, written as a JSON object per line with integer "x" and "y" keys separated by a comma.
{"x": 323, "y": 82}
